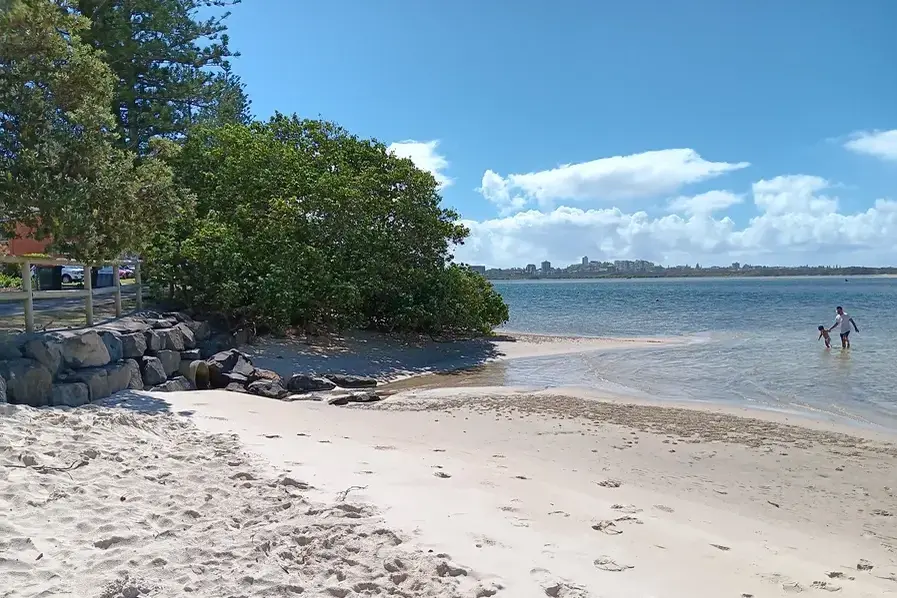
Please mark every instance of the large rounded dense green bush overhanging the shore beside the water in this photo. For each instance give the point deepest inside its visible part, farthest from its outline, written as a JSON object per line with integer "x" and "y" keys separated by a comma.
{"x": 298, "y": 223}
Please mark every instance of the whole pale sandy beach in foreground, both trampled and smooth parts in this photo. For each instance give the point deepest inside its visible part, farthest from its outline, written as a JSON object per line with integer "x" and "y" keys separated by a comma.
{"x": 445, "y": 492}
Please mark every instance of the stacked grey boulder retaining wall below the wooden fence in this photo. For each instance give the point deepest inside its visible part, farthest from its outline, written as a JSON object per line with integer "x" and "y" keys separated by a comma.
{"x": 148, "y": 351}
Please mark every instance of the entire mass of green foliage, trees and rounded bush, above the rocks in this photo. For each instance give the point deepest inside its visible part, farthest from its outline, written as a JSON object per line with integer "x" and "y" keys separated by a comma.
{"x": 122, "y": 128}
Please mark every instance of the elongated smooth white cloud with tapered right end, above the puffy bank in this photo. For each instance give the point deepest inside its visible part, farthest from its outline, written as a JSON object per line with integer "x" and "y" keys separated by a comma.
{"x": 643, "y": 175}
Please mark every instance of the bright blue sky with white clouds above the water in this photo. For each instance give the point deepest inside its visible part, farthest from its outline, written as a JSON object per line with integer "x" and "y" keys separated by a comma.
{"x": 785, "y": 112}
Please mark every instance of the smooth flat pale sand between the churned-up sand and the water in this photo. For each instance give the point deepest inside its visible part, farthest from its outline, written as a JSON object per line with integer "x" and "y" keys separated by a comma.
{"x": 548, "y": 498}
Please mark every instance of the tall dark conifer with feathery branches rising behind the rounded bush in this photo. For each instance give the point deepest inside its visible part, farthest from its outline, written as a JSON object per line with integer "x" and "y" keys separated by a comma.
{"x": 170, "y": 66}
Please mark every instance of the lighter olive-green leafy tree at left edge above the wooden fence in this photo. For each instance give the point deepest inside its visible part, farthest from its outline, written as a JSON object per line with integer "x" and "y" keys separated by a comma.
{"x": 60, "y": 170}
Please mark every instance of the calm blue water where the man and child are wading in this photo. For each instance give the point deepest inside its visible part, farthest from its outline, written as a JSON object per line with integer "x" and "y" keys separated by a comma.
{"x": 748, "y": 342}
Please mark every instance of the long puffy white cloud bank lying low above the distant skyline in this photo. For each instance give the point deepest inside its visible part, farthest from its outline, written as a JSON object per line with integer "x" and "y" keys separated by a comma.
{"x": 796, "y": 224}
